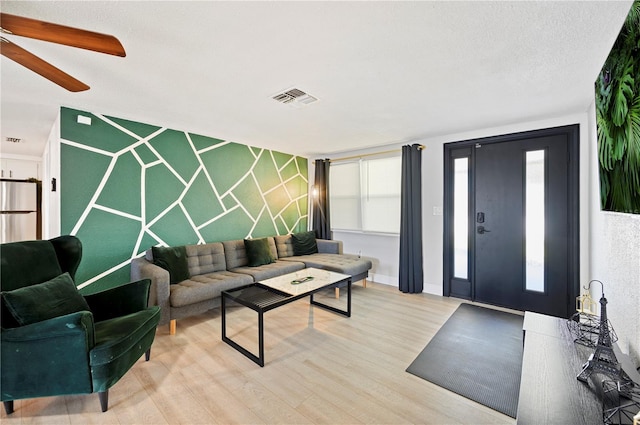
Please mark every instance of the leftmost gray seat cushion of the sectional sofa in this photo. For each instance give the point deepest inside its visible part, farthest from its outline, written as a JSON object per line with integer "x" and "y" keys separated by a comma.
{"x": 205, "y": 287}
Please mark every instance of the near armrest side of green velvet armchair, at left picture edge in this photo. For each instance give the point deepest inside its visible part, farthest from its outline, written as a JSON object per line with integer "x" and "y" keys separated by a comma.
{"x": 52, "y": 354}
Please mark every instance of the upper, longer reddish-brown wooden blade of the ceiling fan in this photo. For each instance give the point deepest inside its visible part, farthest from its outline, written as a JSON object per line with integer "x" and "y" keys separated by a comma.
{"x": 61, "y": 34}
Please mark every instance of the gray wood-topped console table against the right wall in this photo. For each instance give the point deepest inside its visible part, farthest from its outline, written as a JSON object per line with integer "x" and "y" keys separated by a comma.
{"x": 549, "y": 391}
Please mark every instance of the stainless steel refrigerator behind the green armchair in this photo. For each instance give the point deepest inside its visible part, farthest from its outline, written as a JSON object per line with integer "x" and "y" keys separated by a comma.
{"x": 20, "y": 215}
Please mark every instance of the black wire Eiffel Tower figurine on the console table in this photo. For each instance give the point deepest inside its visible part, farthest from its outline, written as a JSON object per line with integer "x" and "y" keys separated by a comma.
{"x": 603, "y": 359}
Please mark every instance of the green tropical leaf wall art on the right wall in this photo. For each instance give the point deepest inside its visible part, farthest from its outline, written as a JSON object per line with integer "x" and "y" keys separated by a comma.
{"x": 618, "y": 120}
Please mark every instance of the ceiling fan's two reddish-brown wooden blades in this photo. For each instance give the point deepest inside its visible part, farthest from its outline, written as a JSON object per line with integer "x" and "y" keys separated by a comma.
{"x": 54, "y": 33}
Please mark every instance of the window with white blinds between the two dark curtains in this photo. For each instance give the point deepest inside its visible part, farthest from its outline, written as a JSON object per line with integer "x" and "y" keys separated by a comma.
{"x": 365, "y": 195}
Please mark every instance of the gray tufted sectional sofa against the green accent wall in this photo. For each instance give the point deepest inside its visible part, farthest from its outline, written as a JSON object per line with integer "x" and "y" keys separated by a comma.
{"x": 219, "y": 266}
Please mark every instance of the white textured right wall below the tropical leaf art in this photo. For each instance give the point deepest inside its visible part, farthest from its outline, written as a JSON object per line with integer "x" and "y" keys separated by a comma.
{"x": 614, "y": 260}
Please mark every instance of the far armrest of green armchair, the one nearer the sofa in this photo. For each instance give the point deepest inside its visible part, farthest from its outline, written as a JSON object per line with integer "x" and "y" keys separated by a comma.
{"x": 119, "y": 301}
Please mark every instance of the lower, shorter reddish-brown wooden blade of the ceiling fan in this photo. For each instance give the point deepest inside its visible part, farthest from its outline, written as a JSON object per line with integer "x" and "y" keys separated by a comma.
{"x": 39, "y": 66}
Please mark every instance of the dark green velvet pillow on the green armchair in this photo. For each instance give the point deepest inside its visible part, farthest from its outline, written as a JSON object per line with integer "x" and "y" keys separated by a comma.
{"x": 35, "y": 303}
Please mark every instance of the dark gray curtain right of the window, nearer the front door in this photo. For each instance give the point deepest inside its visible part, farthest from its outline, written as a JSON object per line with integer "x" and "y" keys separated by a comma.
{"x": 411, "y": 275}
